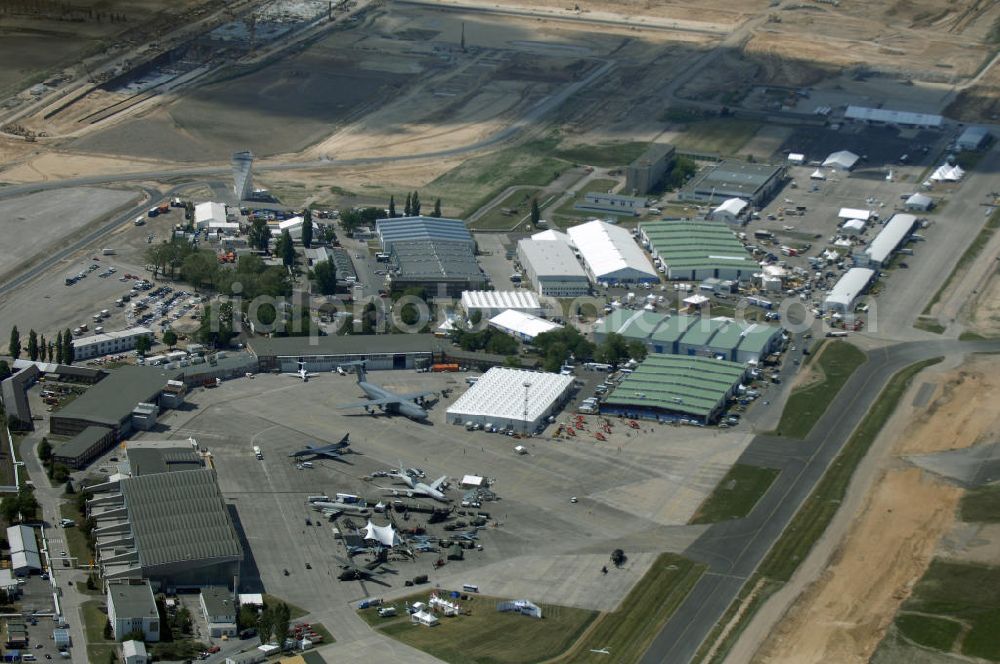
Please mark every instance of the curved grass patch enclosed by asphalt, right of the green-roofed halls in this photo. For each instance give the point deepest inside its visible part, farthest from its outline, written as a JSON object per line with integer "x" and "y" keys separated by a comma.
{"x": 836, "y": 361}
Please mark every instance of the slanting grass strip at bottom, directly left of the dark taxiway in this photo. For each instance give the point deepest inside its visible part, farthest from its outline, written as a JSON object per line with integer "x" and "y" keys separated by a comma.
{"x": 627, "y": 633}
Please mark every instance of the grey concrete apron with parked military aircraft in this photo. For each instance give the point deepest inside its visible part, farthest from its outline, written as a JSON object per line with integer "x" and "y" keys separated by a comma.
{"x": 635, "y": 491}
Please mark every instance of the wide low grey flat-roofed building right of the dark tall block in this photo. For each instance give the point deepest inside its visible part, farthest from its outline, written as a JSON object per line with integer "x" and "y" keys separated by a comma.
{"x": 754, "y": 183}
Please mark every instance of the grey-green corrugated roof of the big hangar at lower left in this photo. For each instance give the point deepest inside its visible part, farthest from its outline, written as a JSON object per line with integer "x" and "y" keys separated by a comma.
{"x": 178, "y": 517}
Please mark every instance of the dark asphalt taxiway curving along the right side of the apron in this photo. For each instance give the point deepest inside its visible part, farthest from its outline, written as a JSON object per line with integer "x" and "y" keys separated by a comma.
{"x": 734, "y": 549}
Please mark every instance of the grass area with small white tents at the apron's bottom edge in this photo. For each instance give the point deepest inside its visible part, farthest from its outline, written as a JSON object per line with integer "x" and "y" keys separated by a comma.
{"x": 489, "y": 637}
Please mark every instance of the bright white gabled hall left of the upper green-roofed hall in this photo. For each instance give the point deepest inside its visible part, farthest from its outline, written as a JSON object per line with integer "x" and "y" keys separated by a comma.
{"x": 610, "y": 255}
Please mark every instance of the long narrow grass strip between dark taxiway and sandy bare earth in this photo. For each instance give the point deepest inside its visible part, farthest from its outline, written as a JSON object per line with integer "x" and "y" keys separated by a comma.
{"x": 817, "y": 511}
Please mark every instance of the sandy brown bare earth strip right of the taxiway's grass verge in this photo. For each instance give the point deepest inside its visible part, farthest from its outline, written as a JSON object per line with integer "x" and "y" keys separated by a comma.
{"x": 843, "y": 615}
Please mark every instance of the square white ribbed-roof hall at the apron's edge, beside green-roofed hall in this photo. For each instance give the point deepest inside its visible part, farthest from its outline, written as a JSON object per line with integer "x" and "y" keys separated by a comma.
{"x": 504, "y": 397}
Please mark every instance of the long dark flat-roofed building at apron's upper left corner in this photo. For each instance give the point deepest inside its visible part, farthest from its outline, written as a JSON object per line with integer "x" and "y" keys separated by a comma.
{"x": 110, "y": 402}
